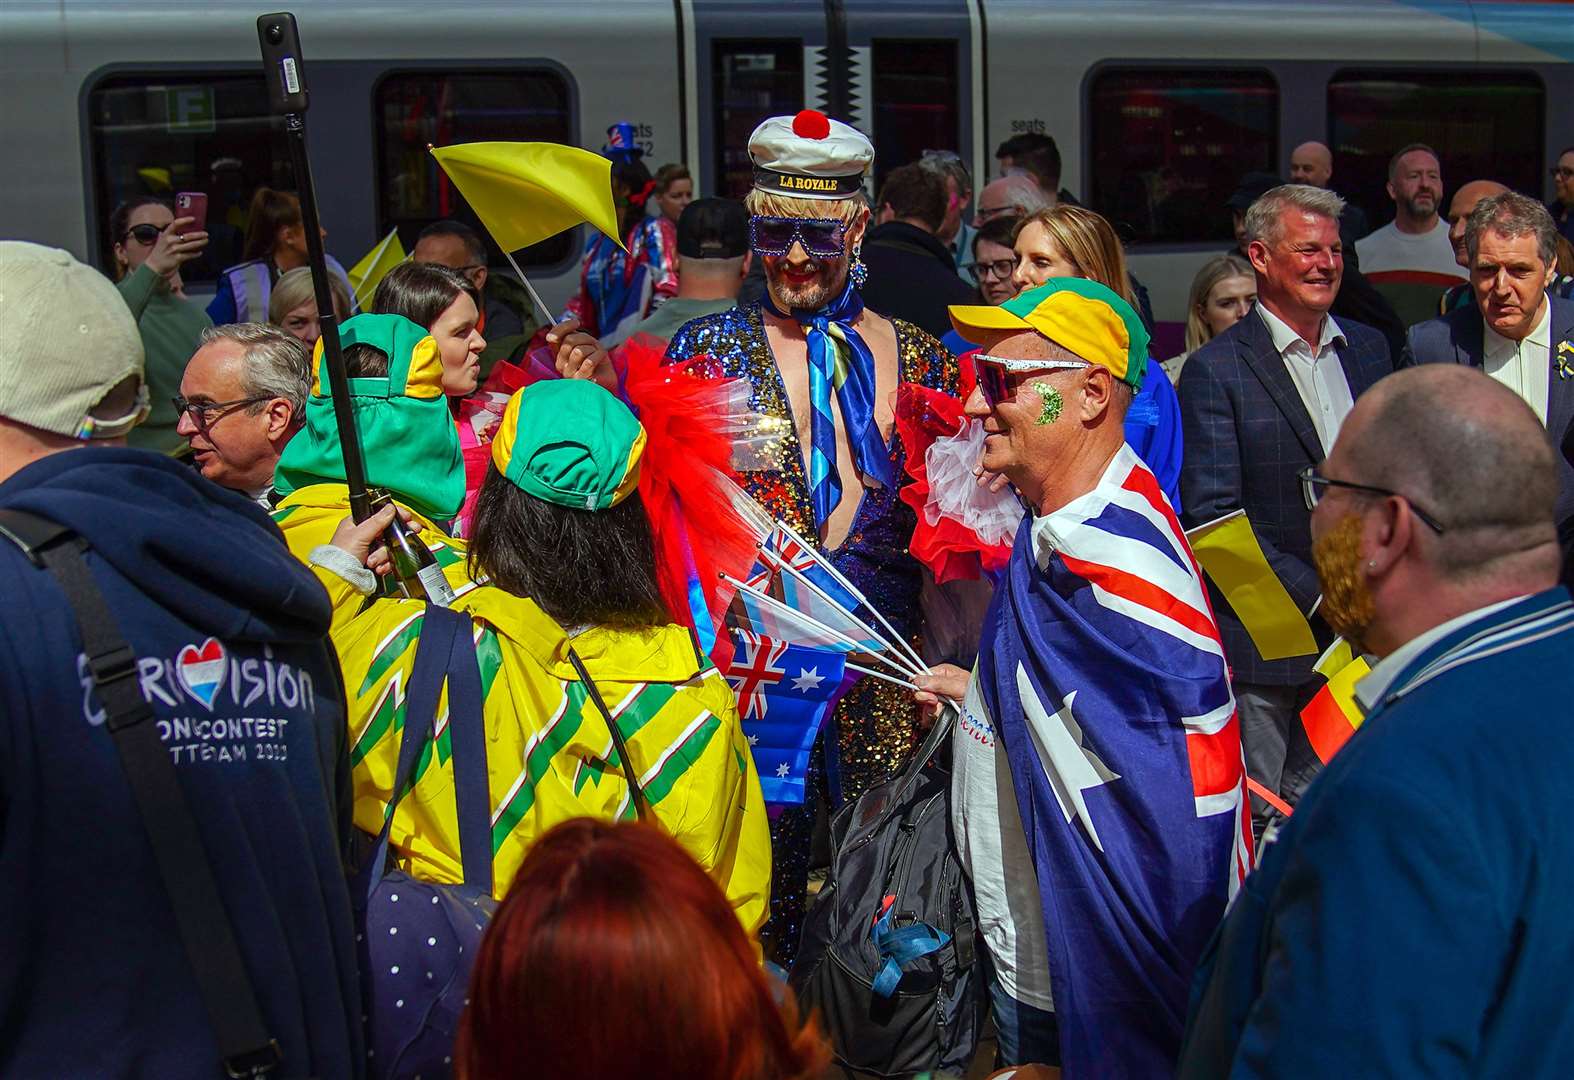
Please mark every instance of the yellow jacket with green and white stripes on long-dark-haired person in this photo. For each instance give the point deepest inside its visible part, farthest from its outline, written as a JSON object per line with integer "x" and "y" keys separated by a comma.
{"x": 549, "y": 750}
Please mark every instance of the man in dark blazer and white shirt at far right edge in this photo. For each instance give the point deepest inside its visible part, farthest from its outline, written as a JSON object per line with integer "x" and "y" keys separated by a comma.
{"x": 1517, "y": 331}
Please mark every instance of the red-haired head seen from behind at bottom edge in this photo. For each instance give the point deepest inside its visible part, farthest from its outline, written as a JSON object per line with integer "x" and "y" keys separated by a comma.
{"x": 615, "y": 955}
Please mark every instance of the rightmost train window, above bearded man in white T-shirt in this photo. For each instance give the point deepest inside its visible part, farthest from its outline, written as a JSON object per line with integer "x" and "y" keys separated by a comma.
{"x": 1485, "y": 125}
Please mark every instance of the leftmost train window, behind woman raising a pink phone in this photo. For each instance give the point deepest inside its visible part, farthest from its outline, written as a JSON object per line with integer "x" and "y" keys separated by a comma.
{"x": 153, "y": 135}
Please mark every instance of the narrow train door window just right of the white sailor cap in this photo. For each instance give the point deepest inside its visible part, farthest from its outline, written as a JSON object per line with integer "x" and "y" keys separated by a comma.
{"x": 915, "y": 102}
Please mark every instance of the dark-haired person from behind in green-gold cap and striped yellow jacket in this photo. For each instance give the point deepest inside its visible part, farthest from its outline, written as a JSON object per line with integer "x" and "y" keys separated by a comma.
{"x": 563, "y": 563}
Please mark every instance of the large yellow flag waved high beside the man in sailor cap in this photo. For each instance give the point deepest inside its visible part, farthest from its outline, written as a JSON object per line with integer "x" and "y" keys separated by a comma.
{"x": 525, "y": 193}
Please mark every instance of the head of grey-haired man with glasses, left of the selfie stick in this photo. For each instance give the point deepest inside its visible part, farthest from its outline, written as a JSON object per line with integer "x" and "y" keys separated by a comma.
{"x": 242, "y": 401}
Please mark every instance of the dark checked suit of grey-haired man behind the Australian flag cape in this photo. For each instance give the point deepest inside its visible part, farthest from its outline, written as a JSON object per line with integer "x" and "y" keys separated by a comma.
{"x": 1247, "y": 435}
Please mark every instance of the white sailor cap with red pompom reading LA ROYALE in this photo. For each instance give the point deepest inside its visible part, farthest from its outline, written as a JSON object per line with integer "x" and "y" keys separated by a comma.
{"x": 810, "y": 157}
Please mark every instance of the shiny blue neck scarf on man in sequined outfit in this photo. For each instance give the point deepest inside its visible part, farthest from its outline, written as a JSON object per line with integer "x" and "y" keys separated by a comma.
{"x": 851, "y": 372}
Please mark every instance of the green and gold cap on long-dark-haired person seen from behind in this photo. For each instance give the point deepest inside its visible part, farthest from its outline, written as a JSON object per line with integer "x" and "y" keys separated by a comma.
{"x": 571, "y": 443}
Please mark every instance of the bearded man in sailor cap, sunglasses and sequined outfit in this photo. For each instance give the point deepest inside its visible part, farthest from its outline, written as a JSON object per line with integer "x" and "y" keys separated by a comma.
{"x": 826, "y": 369}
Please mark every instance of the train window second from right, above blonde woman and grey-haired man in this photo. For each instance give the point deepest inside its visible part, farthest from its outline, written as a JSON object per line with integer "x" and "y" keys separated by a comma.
{"x": 1169, "y": 146}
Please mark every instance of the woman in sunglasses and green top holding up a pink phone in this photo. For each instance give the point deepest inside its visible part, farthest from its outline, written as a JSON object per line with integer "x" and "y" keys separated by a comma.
{"x": 150, "y": 248}
